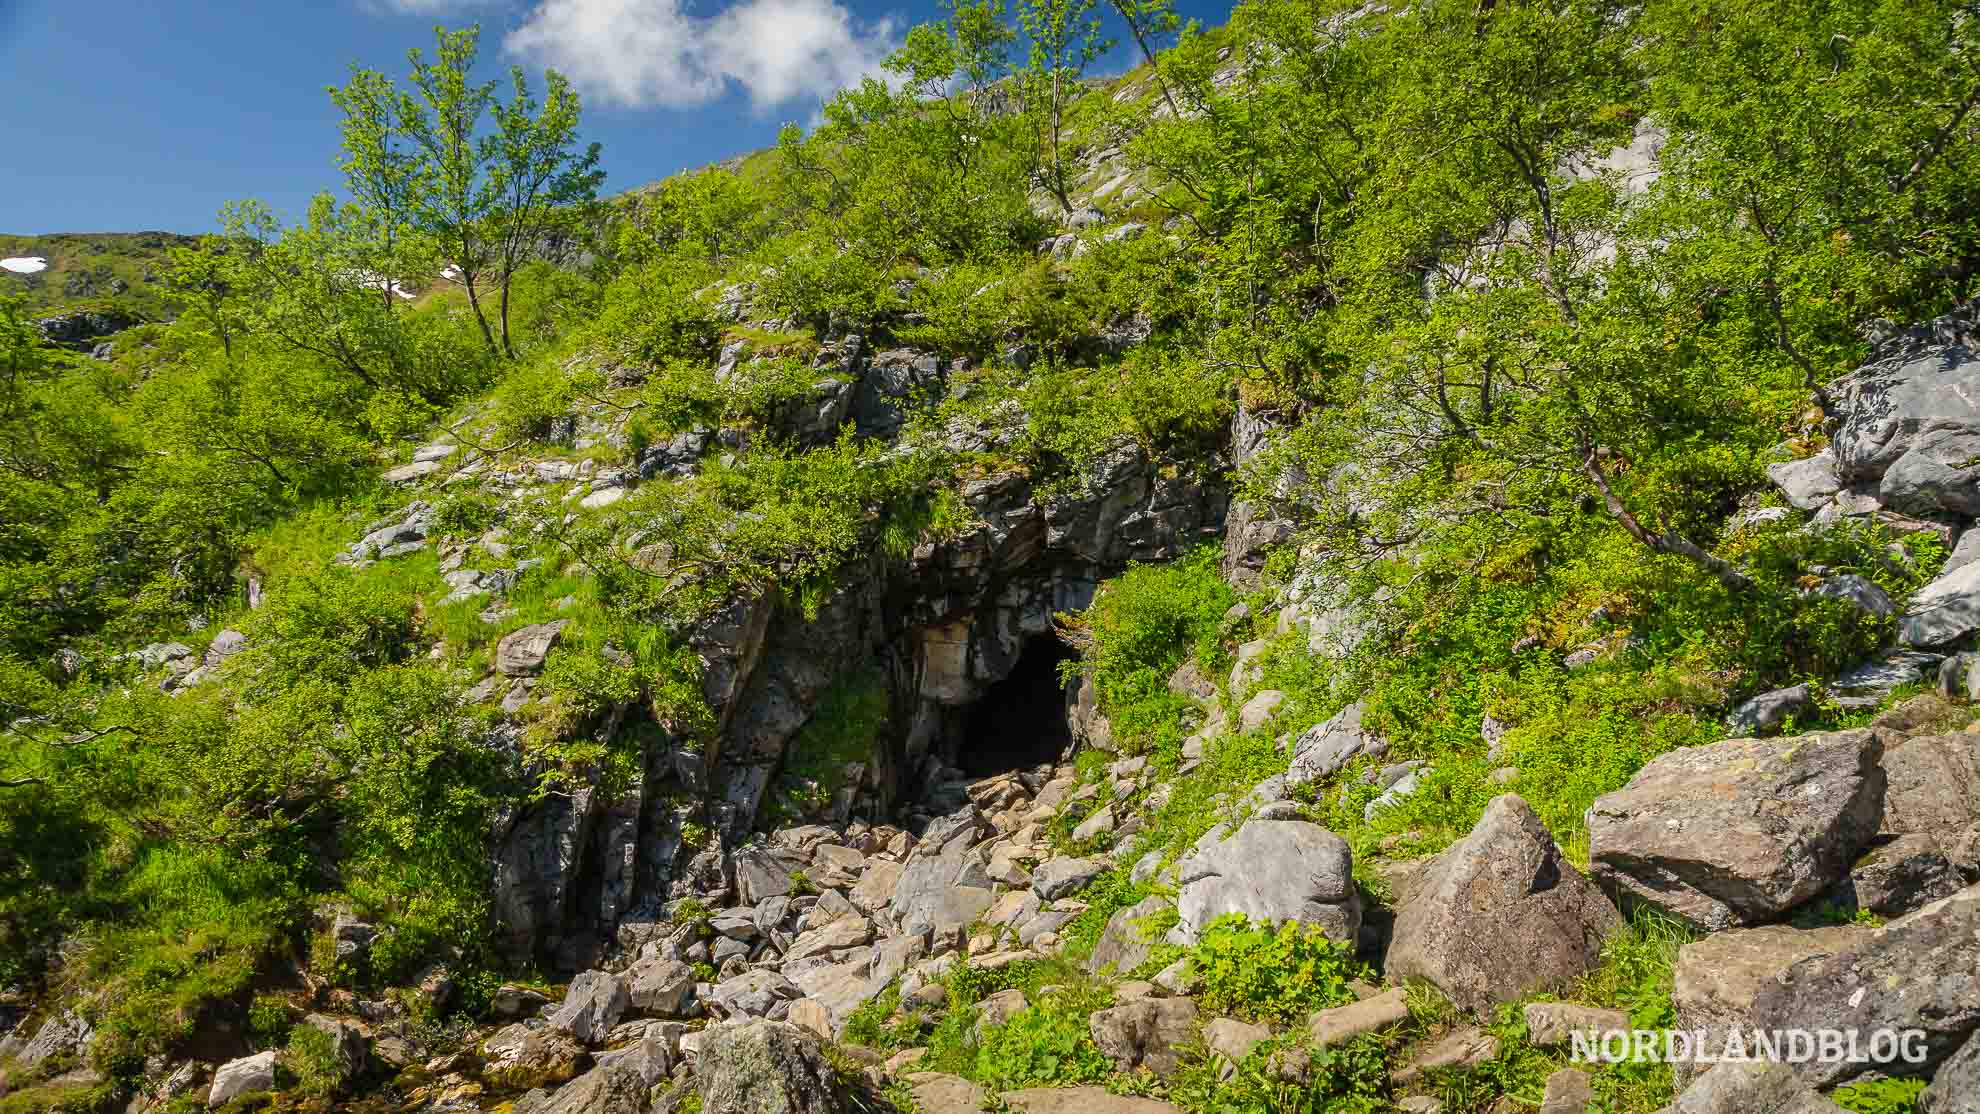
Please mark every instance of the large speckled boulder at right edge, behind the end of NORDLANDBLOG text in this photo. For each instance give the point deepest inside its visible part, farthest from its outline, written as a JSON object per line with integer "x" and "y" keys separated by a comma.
{"x": 1918, "y": 973}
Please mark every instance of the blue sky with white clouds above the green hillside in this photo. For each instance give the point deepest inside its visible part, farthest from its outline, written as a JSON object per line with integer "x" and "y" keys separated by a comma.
{"x": 132, "y": 116}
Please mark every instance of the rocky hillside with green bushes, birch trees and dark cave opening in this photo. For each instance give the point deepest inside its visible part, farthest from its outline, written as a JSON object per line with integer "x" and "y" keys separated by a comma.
{"x": 1274, "y": 583}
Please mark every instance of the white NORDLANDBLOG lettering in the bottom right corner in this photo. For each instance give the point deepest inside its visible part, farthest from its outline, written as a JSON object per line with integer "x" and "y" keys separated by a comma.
{"x": 1751, "y": 1046}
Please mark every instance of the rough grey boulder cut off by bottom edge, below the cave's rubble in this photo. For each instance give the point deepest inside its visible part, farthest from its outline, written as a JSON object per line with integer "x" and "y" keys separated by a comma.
{"x": 765, "y": 1068}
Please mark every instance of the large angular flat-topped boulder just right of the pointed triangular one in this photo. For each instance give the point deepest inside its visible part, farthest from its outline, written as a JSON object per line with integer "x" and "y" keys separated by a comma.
{"x": 1739, "y": 832}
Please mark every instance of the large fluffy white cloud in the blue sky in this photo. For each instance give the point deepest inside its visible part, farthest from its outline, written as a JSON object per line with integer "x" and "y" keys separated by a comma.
{"x": 656, "y": 52}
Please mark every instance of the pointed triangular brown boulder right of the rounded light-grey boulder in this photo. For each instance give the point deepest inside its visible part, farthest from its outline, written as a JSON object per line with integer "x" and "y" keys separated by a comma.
{"x": 1500, "y": 915}
